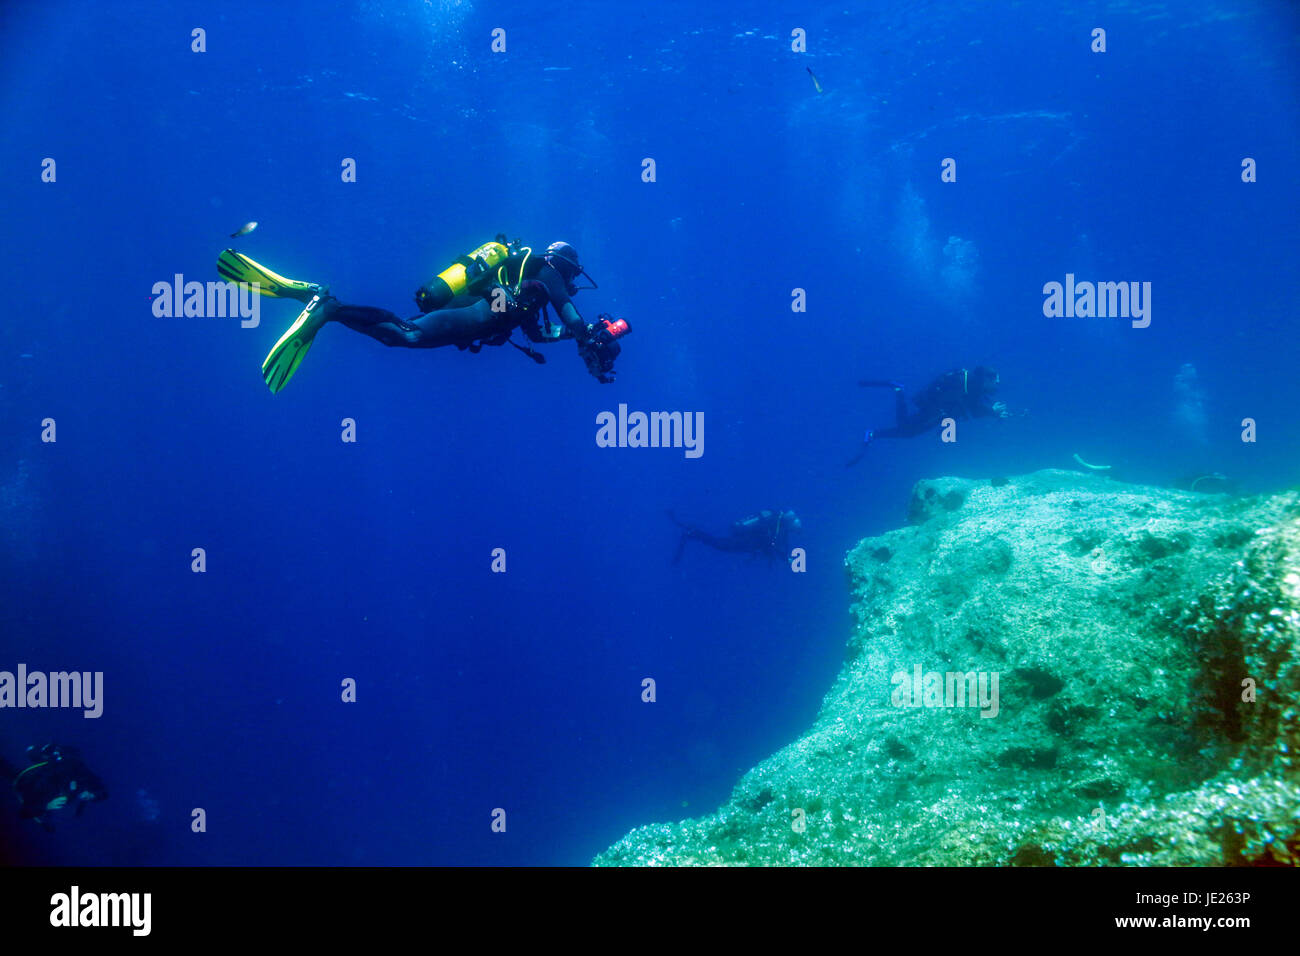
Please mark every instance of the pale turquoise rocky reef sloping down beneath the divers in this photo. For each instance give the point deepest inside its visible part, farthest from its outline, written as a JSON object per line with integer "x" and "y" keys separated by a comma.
{"x": 1055, "y": 669}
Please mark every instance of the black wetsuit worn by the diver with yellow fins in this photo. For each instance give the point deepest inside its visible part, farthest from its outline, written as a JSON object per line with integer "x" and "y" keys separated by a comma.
{"x": 469, "y": 322}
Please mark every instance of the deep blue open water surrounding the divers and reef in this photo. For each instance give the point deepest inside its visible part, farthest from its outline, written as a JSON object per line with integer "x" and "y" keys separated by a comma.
{"x": 371, "y": 561}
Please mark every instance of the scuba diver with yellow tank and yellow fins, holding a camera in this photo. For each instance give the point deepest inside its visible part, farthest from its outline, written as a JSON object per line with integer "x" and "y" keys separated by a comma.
{"x": 480, "y": 300}
